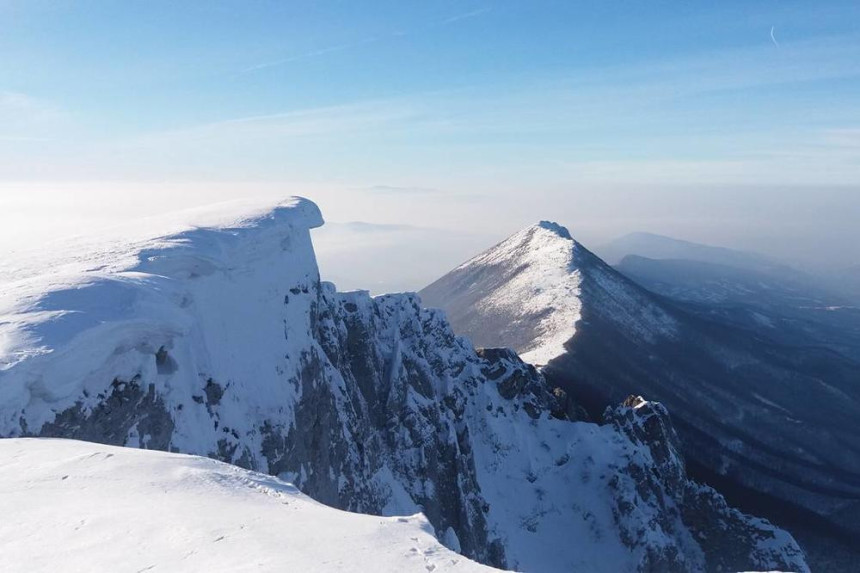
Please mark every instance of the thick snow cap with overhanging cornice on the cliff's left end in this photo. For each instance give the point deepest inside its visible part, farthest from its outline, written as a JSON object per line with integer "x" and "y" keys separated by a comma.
{"x": 205, "y": 295}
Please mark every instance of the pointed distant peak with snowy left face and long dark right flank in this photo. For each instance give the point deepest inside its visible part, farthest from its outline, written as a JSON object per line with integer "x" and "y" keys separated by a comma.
{"x": 780, "y": 421}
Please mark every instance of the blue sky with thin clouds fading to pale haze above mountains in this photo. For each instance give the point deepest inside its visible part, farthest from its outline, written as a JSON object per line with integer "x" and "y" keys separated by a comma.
{"x": 728, "y": 122}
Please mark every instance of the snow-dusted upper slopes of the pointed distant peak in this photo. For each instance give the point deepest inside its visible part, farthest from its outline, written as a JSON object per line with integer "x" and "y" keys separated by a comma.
{"x": 526, "y": 293}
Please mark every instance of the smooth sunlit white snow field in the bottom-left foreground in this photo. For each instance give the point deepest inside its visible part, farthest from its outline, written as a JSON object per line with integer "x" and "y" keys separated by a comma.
{"x": 77, "y": 506}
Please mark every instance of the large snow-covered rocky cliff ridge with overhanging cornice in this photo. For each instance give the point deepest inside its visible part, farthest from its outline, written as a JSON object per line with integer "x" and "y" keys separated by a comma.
{"x": 223, "y": 342}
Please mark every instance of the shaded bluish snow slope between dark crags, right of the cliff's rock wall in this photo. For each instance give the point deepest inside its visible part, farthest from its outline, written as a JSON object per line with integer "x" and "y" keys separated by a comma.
{"x": 557, "y": 509}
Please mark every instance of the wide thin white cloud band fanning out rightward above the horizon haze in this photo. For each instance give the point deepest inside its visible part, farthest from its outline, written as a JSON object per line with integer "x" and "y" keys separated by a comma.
{"x": 627, "y": 120}
